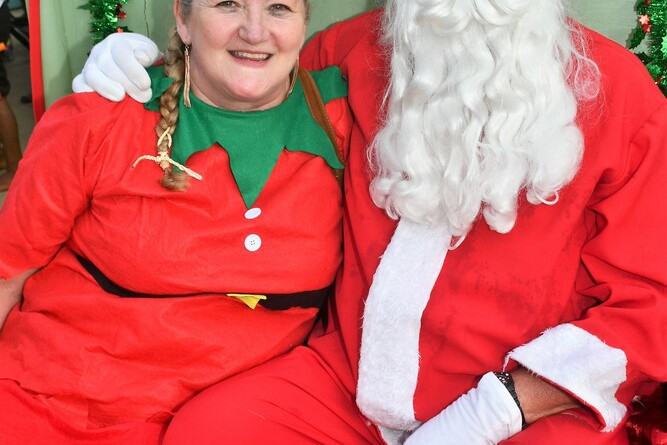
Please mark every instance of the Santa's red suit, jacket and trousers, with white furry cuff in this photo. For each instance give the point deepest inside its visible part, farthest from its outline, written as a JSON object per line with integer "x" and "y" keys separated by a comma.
{"x": 575, "y": 292}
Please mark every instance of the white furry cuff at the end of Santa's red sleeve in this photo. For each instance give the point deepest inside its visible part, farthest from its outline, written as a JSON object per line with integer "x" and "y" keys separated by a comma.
{"x": 580, "y": 363}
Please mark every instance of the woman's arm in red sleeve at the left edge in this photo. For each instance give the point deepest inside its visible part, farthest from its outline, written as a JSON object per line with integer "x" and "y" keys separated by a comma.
{"x": 53, "y": 186}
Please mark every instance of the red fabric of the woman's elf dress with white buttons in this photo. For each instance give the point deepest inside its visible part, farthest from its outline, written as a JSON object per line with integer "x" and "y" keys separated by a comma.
{"x": 80, "y": 365}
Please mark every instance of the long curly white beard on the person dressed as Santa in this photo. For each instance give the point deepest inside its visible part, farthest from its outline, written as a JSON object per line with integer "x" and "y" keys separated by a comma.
{"x": 481, "y": 105}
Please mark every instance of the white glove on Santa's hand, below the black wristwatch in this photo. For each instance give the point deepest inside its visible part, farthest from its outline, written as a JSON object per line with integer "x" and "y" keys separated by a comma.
{"x": 484, "y": 415}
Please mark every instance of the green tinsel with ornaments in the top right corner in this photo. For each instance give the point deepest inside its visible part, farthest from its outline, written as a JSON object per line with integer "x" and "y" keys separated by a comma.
{"x": 652, "y": 25}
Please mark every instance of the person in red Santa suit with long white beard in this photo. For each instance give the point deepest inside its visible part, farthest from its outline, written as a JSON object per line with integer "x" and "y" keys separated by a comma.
{"x": 520, "y": 299}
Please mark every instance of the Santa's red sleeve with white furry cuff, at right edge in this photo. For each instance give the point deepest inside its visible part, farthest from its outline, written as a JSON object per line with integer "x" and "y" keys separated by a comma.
{"x": 622, "y": 337}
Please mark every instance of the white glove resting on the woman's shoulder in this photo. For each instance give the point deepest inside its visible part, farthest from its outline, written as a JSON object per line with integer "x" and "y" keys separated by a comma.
{"x": 116, "y": 66}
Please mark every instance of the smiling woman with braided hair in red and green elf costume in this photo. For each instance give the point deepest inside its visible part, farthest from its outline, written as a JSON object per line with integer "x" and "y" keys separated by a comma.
{"x": 175, "y": 244}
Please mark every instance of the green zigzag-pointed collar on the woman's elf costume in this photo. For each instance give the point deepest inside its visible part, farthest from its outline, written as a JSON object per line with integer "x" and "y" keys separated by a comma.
{"x": 252, "y": 139}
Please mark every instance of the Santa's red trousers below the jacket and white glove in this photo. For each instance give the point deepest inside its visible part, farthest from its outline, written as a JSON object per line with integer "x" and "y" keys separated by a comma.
{"x": 295, "y": 399}
